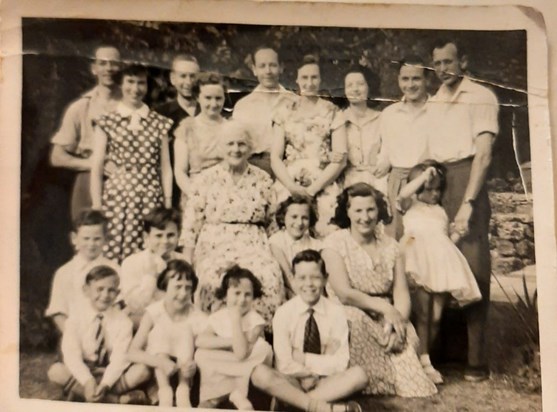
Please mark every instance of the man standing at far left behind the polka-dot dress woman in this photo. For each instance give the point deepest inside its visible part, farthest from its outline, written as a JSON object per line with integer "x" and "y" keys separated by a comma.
{"x": 72, "y": 144}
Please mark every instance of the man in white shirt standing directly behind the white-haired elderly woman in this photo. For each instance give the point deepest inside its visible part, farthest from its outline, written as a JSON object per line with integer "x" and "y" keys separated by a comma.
{"x": 257, "y": 109}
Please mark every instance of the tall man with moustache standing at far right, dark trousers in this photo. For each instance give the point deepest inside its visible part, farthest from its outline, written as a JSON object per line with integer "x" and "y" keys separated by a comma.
{"x": 464, "y": 130}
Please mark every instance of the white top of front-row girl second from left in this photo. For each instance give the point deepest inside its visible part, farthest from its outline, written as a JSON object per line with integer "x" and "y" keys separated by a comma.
{"x": 174, "y": 338}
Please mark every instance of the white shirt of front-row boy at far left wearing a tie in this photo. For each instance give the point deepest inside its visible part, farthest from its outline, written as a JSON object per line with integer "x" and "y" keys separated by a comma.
{"x": 79, "y": 343}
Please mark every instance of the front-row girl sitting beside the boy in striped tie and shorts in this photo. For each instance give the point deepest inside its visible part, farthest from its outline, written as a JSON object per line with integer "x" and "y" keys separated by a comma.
{"x": 165, "y": 338}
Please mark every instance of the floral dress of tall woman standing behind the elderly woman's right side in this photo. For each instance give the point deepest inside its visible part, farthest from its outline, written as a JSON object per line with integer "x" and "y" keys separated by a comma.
{"x": 307, "y": 136}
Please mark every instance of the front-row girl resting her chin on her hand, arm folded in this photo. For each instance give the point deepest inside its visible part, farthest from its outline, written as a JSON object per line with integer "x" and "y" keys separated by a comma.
{"x": 232, "y": 346}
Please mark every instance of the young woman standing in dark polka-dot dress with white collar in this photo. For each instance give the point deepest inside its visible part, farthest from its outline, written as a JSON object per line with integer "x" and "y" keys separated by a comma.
{"x": 135, "y": 139}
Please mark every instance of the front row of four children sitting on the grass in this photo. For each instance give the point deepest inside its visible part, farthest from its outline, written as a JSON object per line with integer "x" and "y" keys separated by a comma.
{"x": 102, "y": 362}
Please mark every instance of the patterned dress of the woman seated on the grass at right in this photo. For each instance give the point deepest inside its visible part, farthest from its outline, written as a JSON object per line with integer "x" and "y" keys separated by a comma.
{"x": 395, "y": 373}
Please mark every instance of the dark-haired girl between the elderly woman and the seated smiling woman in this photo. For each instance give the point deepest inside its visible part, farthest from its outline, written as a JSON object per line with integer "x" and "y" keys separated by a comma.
{"x": 295, "y": 218}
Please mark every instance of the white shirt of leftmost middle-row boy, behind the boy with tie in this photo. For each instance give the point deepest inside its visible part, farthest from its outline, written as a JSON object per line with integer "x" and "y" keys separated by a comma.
{"x": 67, "y": 295}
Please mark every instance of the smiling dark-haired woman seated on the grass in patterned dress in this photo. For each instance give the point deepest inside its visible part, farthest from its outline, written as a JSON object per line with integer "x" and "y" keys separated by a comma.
{"x": 367, "y": 277}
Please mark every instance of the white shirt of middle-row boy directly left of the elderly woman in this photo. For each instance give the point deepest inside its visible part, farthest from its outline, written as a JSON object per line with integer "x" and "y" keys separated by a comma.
{"x": 138, "y": 279}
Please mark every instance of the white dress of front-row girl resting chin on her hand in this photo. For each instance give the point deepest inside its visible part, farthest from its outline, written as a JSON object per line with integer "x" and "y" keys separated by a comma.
{"x": 221, "y": 372}
